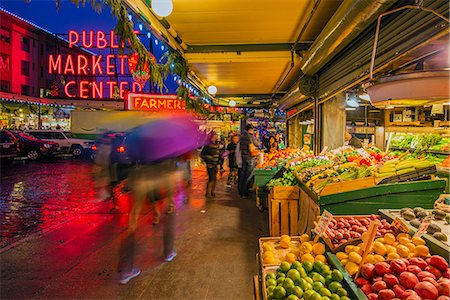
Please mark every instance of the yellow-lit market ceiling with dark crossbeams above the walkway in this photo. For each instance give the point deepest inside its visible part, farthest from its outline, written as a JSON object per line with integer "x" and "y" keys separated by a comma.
{"x": 250, "y": 50}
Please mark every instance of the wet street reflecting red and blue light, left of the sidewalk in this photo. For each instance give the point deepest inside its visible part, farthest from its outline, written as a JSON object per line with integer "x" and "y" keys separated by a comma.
{"x": 34, "y": 197}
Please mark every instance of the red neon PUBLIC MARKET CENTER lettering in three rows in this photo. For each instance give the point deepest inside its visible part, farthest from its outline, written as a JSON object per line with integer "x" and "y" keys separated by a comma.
{"x": 92, "y": 65}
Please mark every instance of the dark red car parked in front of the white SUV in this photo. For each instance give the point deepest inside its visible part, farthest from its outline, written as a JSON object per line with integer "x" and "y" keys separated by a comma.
{"x": 32, "y": 147}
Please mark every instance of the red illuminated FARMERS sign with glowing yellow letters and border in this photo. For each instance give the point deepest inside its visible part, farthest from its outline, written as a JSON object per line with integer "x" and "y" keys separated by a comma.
{"x": 150, "y": 102}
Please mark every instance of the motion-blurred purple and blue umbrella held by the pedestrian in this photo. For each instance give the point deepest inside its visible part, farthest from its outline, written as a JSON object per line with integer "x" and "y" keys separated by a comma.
{"x": 164, "y": 138}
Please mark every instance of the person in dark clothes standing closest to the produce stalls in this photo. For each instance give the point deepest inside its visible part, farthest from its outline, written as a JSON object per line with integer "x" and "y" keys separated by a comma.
{"x": 248, "y": 146}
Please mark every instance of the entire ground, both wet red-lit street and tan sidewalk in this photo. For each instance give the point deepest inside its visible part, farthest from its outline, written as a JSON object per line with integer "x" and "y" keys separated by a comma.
{"x": 63, "y": 244}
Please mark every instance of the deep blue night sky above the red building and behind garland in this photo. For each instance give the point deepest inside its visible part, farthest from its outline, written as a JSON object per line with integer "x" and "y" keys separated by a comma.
{"x": 44, "y": 14}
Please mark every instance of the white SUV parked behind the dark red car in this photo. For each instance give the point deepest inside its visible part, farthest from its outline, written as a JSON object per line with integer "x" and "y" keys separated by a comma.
{"x": 65, "y": 139}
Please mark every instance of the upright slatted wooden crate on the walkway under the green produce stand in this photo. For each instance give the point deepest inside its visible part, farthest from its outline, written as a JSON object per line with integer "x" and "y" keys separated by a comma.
{"x": 283, "y": 216}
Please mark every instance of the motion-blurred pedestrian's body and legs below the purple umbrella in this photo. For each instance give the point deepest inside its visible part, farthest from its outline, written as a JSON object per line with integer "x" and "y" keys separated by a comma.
{"x": 143, "y": 180}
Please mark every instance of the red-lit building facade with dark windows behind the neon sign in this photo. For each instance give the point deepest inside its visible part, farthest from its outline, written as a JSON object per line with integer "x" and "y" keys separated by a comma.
{"x": 24, "y": 54}
